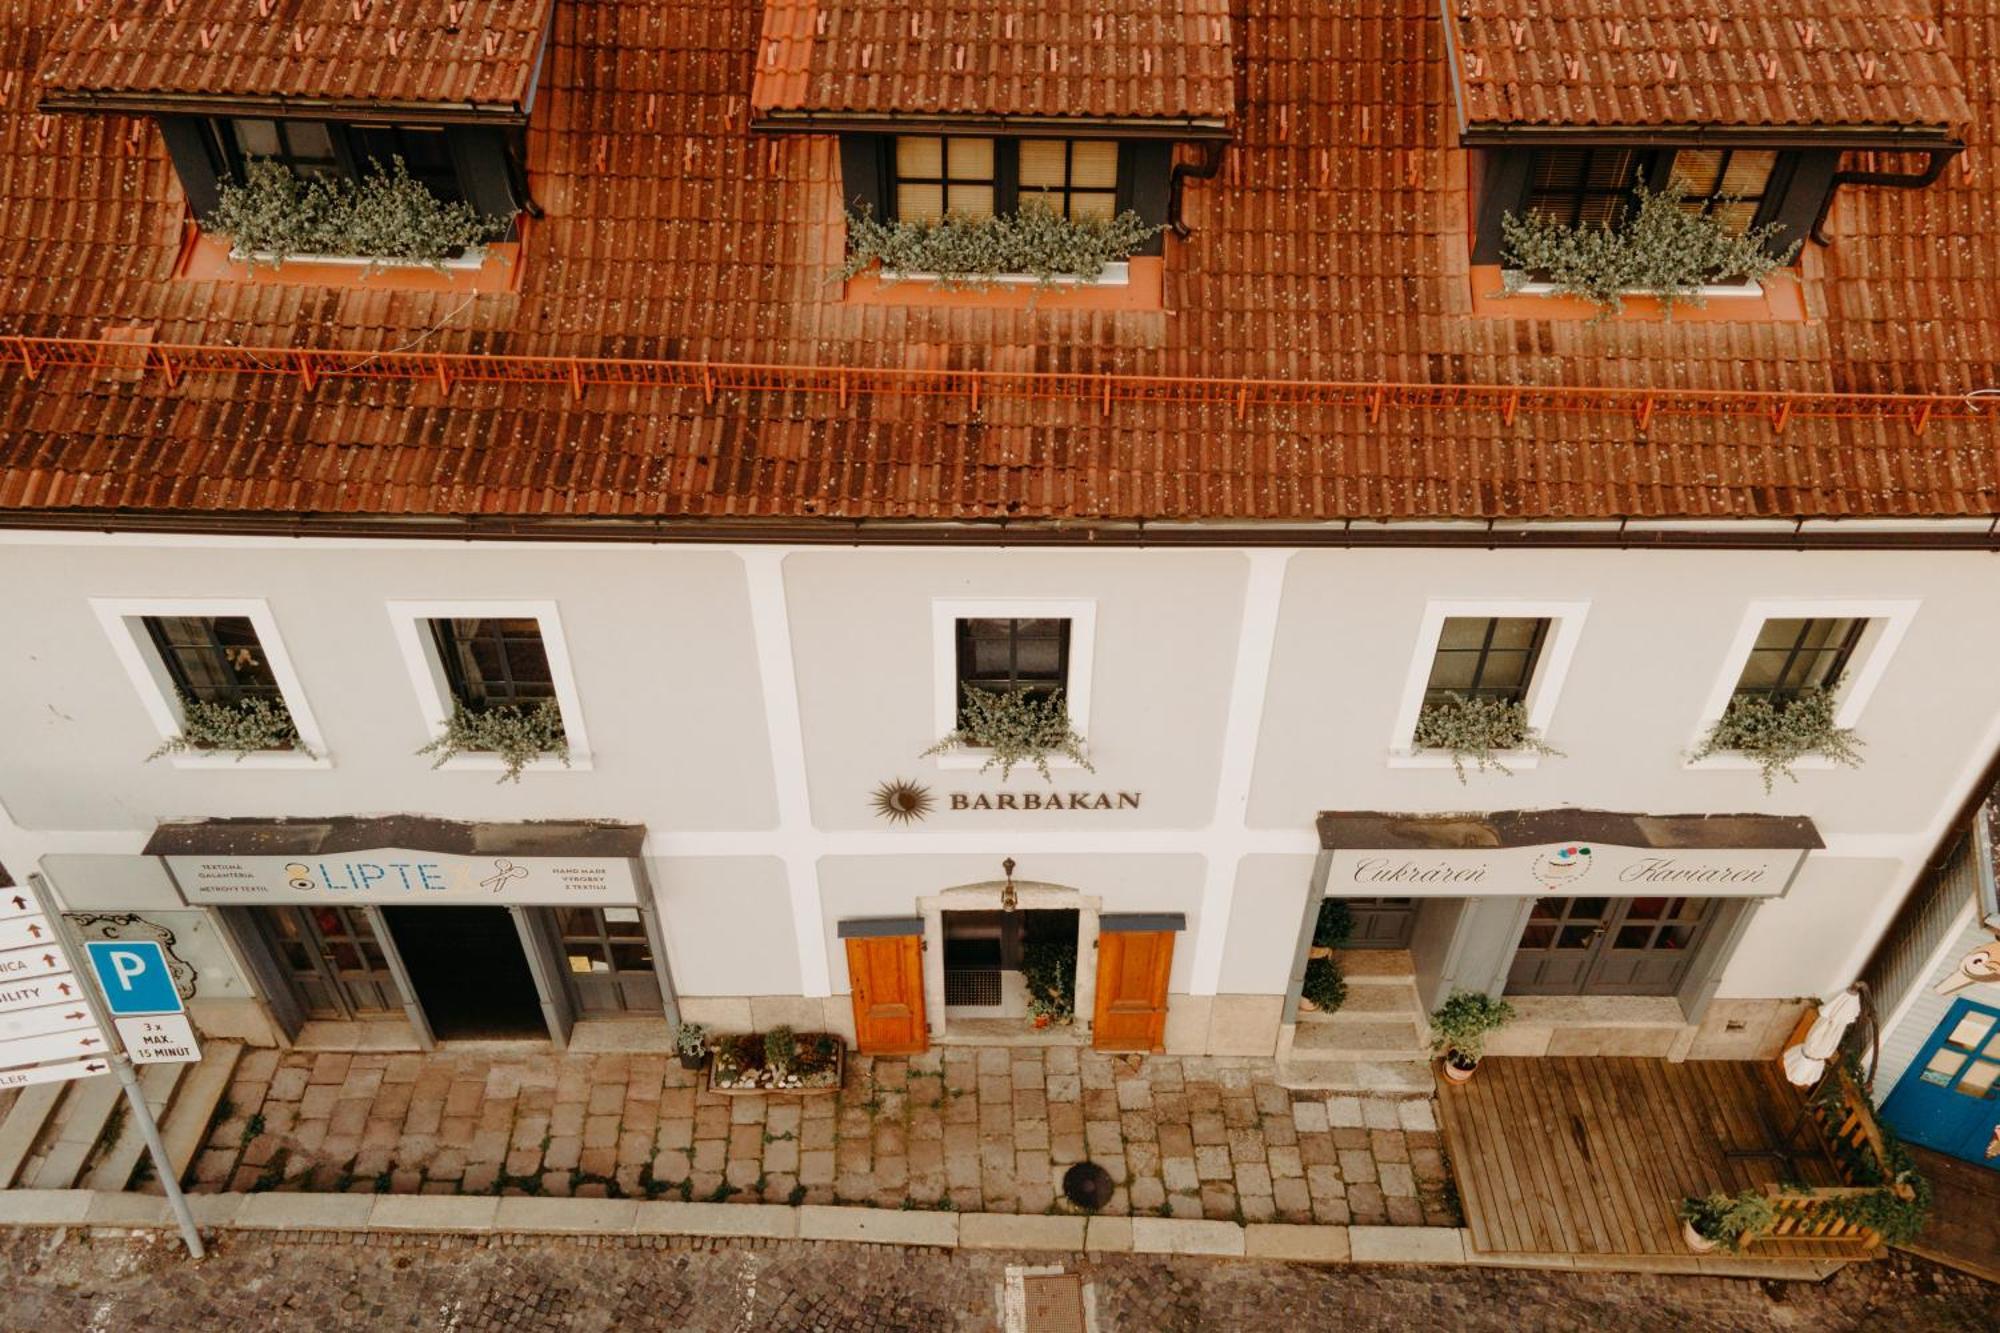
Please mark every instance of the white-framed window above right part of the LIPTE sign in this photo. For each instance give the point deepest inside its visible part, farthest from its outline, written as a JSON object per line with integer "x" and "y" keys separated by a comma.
{"x": 475, "y": 663}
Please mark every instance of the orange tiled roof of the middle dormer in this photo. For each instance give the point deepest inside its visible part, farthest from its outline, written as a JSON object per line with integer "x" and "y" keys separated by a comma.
{"x": 1115, "y": 59}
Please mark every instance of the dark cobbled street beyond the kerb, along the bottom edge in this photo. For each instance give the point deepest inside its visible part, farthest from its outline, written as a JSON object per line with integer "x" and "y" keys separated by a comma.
{"x": 281, "y": 1284}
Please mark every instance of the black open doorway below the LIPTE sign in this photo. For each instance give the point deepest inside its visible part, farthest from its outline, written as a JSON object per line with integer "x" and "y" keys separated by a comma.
{"x": 469, "y": 972}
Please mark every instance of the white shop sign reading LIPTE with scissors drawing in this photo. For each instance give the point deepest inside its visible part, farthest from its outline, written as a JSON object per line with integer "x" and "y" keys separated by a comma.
{"x": 405, "y": 878}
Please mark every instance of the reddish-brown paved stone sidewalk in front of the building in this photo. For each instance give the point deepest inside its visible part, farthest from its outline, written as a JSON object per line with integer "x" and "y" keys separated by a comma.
{"x": 977, "y": 1130}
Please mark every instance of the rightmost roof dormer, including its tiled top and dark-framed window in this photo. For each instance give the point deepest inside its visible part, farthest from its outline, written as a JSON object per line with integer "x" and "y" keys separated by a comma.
{"x": 1747, "y": 123}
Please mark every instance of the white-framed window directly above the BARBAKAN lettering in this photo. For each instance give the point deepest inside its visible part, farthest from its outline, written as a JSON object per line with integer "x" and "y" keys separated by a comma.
{"x": 1011, "y": 647}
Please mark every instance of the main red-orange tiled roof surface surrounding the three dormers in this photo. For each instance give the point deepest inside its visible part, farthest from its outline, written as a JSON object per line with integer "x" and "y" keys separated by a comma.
{"x": 1333, "y": 245}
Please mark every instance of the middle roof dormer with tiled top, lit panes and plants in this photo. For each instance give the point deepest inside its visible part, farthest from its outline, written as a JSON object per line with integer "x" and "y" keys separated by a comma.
{"x": 999, "y": 129}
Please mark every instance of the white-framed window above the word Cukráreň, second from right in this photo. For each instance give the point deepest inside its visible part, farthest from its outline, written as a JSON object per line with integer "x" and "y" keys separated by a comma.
{"x": 1489, "y": 653}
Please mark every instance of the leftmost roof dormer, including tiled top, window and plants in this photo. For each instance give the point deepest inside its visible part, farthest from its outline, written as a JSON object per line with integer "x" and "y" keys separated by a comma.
{"x": 297, "y": 129}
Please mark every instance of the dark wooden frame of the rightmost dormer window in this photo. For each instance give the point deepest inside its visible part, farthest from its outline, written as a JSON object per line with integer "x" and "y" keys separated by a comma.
{"x": 1793, "y": 195}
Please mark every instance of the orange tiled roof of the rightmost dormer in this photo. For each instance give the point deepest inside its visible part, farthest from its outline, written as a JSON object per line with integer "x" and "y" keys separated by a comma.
{"x": 1741, "y": 63}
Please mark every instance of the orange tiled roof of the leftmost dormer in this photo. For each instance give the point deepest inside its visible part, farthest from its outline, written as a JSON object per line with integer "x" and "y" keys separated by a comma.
{"x": 467, "y": 53}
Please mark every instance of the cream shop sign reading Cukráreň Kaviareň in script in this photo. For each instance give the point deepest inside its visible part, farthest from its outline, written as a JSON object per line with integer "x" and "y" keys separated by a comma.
{"x": 1567, "y": 868}
